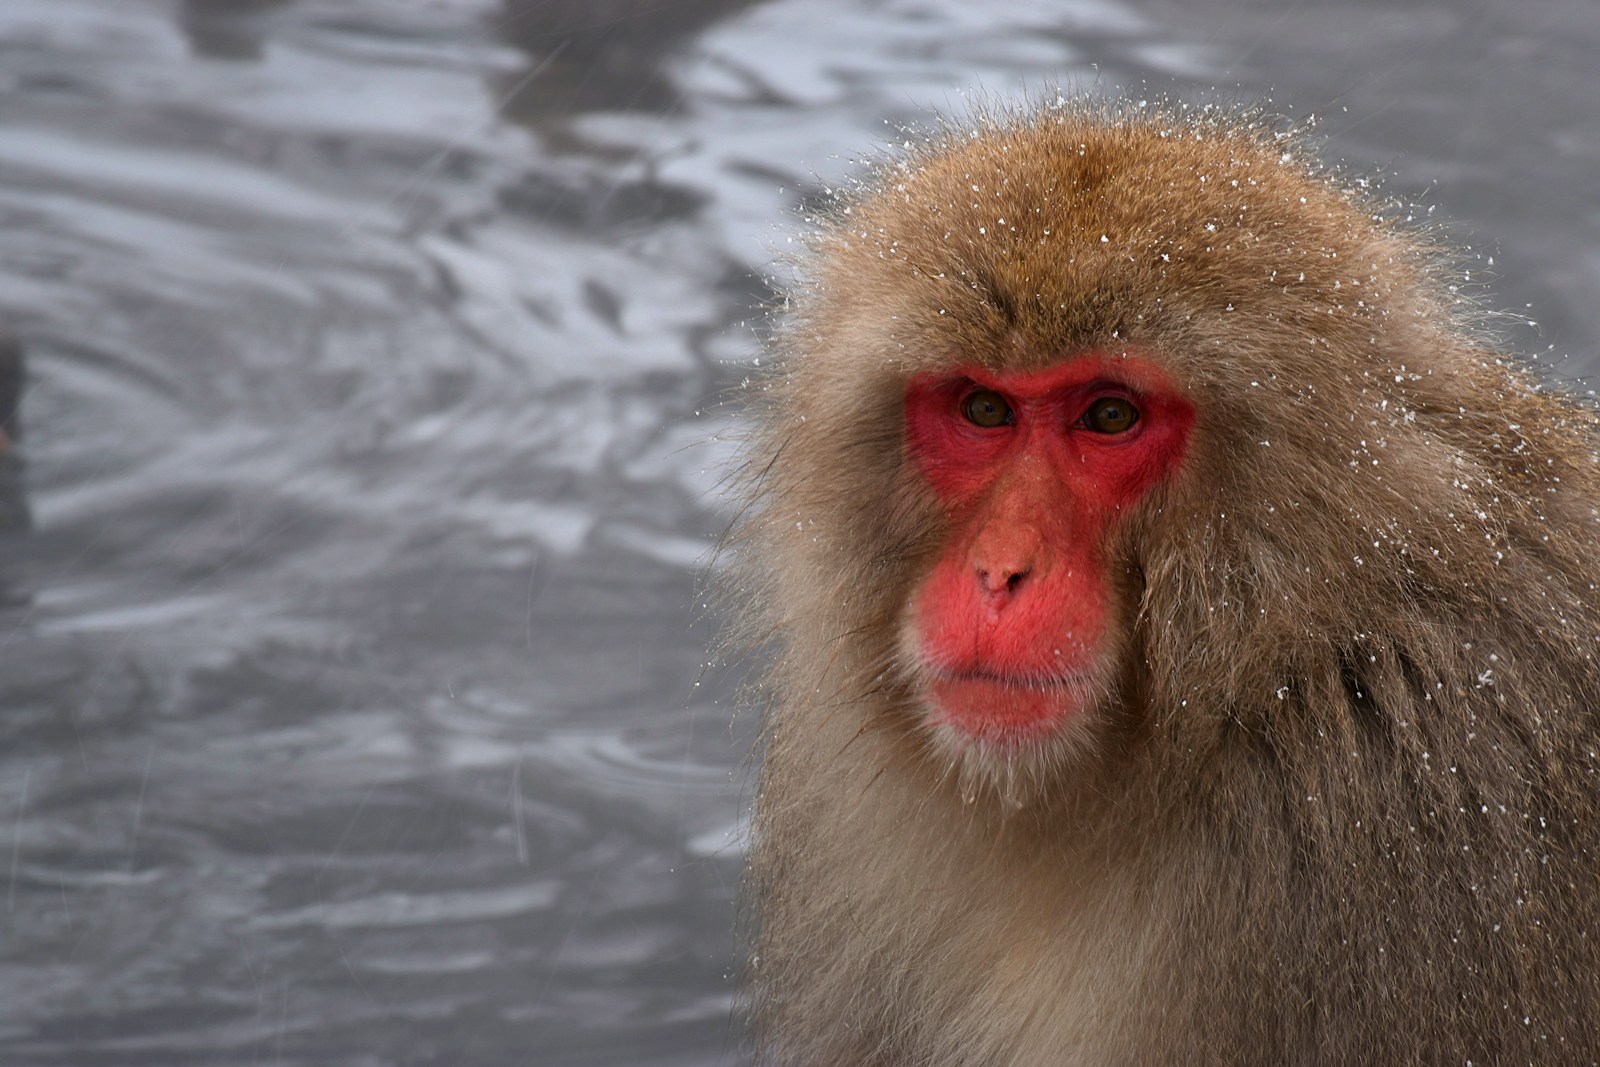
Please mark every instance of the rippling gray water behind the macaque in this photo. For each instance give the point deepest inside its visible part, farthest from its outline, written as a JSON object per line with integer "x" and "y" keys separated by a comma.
{"x": 351, "y": 649}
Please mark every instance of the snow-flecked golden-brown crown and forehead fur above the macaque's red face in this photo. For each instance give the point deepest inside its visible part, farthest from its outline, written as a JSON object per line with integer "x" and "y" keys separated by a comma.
{"x": 1068, "y": 233}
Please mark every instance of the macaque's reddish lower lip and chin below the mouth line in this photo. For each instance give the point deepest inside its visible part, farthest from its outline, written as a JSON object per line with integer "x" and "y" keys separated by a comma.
{"x": 1001, "y": 708}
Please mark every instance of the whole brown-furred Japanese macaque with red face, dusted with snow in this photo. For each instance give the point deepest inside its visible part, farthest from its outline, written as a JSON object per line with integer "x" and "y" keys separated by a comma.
{"x": 1183, "y": 626}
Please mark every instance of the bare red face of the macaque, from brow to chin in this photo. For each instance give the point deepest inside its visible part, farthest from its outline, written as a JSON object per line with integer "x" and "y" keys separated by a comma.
{"x": 1036, "y": 471}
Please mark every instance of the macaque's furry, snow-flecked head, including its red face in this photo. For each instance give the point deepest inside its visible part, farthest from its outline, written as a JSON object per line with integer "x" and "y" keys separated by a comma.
{"x": 1108, "y": 434}
